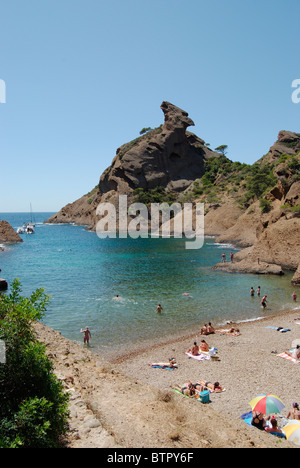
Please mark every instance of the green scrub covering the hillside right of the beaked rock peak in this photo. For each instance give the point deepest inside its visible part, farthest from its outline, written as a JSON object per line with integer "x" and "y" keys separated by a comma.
{"x": 247, "y": 183}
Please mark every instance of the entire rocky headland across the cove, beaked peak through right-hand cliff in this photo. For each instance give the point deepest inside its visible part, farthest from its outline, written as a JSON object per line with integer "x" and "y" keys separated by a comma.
{"x": 256, "y": 207}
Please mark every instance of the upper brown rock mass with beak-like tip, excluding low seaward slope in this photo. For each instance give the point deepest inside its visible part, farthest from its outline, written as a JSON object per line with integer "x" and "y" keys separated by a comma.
{"x": 167, "y": 156}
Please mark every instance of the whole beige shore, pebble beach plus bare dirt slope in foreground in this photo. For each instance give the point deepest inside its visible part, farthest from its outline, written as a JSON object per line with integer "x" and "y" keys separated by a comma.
{"x": 127, "y": 403}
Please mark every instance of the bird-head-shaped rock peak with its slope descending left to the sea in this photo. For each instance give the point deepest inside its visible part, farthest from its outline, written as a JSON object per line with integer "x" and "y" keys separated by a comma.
{"x": 169, "y": 157}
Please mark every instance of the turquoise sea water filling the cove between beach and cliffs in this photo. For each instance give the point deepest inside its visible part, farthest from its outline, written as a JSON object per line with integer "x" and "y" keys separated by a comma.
{"x": 83, "y": 274}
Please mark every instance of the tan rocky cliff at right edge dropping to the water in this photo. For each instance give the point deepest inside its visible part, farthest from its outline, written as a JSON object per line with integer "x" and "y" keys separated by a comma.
{"x": 268, "y": 226}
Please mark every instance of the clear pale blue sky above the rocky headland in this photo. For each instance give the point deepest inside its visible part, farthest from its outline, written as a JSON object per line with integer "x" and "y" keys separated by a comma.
{"x": 85, "y": 76}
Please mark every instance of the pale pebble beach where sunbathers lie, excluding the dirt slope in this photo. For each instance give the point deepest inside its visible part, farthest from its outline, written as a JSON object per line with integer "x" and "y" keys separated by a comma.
{"x": 248, "y": 364}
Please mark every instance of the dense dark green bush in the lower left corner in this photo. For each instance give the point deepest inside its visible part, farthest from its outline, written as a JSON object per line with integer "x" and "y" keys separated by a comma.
{"x": 34, "y": 409}
